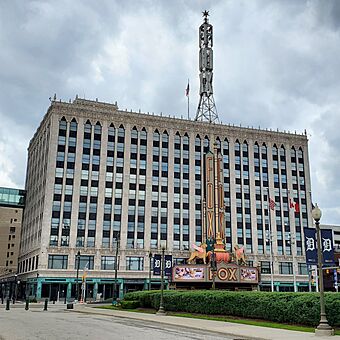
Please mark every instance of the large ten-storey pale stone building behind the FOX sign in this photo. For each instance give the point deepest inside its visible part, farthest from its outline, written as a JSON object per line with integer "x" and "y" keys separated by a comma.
{"x": 96, "y": 174}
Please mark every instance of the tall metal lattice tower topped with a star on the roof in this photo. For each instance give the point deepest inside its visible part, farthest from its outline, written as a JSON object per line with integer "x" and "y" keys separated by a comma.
{"x": 206, "y": 107}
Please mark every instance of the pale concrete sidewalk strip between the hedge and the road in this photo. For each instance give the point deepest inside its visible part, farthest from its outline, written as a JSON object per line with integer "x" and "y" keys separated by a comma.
{"x": 225, "y": 328}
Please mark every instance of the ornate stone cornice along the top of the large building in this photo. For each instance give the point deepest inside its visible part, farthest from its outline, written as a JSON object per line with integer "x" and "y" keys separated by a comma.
{"x": 96, "y": 111}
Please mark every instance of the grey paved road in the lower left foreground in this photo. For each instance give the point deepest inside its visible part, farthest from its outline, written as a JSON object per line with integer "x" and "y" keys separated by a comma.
{"x": 18, "y": 324}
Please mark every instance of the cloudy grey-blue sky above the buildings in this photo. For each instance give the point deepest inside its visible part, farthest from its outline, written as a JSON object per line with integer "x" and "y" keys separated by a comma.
{"x": 276, "y": 65}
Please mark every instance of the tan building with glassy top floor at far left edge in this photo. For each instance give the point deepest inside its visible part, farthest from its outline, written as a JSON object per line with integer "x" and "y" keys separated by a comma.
{"x": 12, "y": 202}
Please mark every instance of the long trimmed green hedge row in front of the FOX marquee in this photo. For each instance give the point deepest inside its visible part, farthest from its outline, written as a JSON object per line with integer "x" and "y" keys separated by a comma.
{"x": 296, "y": 308}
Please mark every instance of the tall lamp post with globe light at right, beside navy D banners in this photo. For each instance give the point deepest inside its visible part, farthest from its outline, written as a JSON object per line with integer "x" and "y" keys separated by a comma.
{"x": 324, "y": 328}
